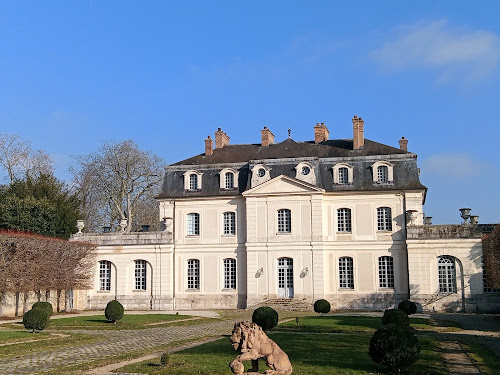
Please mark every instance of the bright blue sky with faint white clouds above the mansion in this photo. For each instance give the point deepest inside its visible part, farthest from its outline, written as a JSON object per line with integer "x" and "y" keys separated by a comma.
{"x": 167, "y": 74}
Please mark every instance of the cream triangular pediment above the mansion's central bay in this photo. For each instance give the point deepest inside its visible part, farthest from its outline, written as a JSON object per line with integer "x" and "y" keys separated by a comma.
{"x": 283, "y": 185}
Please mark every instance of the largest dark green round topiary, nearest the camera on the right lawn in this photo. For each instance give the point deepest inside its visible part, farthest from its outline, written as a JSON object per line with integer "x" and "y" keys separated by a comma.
{"x": 394, "y": 346}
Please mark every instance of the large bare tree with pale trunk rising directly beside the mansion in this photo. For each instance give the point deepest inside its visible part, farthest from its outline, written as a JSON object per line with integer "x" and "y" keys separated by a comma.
{"x": 118, "y": 182}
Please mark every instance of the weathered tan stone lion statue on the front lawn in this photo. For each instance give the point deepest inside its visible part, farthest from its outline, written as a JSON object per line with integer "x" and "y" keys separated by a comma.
{"x": 253, "y": 343}
